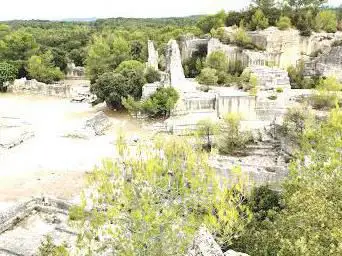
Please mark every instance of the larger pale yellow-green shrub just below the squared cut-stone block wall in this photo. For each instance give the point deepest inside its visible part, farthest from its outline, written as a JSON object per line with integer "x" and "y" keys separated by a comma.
{"x": 233, "y": 140}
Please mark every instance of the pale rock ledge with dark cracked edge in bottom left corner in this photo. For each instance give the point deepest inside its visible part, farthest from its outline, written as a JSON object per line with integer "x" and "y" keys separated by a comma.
{"x": 24, "y": 226}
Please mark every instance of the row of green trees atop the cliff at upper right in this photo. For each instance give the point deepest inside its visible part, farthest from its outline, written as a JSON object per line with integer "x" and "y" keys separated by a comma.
{"x": 306, "y": 16}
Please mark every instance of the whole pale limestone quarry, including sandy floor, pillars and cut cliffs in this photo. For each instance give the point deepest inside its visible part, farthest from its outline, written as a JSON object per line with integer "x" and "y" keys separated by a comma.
{"x": 52, "y": 135}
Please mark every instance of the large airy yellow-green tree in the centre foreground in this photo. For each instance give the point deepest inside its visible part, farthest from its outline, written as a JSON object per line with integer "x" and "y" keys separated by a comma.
{"x": 153, "y": 200}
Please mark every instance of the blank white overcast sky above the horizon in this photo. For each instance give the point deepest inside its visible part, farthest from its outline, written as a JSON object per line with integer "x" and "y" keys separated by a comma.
{"x": 61, "y": 9}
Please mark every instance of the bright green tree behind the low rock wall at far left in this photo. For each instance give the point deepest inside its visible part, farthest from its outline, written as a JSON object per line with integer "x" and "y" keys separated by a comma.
{"x": 42, "y": 68}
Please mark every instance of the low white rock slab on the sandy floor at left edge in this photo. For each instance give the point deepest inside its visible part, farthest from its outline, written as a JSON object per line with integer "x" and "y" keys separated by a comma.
{"x": 13, "y": 132}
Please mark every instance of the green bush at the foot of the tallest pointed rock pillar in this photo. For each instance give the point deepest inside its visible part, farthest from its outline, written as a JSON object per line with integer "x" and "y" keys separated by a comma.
{"x": 161, "y": 103}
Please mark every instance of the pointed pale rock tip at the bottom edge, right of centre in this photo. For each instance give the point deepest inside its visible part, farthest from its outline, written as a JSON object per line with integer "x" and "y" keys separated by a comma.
{"x": 204, "y": 245}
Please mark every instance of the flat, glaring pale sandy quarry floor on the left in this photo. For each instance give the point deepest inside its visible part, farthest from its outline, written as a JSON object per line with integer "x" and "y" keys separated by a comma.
{"x": 49, "y": 164}
